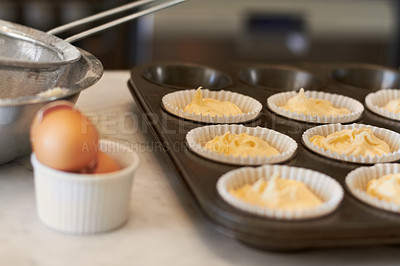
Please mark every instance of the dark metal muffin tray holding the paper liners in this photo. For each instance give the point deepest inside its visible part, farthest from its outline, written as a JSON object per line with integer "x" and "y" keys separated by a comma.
{"x": 353, "y": 223}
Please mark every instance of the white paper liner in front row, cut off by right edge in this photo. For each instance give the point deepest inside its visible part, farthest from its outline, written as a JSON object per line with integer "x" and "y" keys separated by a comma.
{"x": 358, "y": 179}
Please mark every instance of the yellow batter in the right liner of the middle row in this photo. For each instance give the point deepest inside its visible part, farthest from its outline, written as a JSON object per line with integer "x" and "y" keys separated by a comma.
{"x": 357, "y": 142}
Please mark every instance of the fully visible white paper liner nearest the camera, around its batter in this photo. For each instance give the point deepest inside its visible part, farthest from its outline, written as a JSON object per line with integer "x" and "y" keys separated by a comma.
{"x": 325, "y": 187}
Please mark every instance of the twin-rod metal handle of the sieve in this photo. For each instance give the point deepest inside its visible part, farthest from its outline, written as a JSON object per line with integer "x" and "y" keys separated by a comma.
{"x": 113, "y": 23}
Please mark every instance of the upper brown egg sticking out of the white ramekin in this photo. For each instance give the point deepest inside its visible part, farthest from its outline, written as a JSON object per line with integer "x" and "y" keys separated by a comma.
{"x": 63, "y": 138}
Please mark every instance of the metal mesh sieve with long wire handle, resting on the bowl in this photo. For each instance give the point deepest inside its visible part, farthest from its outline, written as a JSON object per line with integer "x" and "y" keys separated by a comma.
{"x": 24, "y": 47}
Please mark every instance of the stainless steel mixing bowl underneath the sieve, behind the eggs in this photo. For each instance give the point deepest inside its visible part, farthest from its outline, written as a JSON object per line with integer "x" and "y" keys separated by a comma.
{"x": 19, "y": 101}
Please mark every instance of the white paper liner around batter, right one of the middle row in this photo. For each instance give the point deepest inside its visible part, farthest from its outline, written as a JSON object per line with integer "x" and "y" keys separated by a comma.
{"x": 392, "y": 139}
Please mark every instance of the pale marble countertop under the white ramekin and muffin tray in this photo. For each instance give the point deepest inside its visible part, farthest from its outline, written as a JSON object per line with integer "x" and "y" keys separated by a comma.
{"x": 165, "y": 226}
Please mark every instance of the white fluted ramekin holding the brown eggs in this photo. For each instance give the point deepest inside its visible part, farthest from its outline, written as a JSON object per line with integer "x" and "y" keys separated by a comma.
{"x": 84, "y": 203}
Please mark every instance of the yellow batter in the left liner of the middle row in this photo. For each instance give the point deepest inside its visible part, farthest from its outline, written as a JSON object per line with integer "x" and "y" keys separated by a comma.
{"x": 241, "y": 145}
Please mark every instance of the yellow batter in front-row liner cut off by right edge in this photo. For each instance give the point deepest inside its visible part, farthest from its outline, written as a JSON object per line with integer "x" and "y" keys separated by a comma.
{"x": 385, "y": 188}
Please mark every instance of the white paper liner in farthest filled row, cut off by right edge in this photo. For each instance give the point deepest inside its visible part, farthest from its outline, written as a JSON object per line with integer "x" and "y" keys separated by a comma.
{"x": 375, "y": 102}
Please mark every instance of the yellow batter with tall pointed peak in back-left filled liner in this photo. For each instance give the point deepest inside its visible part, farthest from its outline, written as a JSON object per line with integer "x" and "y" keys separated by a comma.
{"x": 208, "y": 106}
